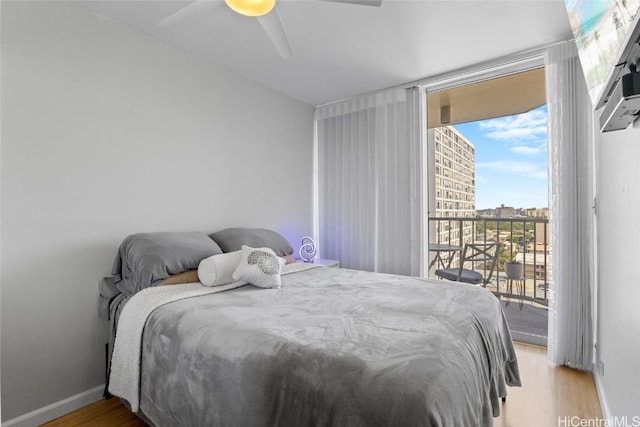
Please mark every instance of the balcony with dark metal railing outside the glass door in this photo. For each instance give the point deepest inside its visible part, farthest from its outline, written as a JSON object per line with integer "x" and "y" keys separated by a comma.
{"x": 525, "y": 240}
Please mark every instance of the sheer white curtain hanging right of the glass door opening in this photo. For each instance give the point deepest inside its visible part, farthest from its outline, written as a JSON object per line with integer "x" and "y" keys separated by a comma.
{"x": 570, "y": 125}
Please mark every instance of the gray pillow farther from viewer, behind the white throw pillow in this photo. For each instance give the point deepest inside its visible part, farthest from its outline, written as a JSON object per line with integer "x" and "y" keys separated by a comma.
{"x": 232, "y": 239}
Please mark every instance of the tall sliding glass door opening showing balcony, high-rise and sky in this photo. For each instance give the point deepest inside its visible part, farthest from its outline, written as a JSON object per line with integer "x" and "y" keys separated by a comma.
{"x": 487, "y": 182}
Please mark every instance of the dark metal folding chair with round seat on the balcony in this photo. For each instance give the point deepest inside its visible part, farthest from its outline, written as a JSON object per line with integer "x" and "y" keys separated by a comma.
{"x": 473, "y": 254}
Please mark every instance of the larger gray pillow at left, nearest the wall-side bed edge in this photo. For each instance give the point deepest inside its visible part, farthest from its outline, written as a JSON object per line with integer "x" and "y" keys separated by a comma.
{"x": 146, "y": 259}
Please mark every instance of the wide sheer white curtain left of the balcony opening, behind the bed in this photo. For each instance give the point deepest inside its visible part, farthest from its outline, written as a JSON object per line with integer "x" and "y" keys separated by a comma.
{"x": 368, "y": 186}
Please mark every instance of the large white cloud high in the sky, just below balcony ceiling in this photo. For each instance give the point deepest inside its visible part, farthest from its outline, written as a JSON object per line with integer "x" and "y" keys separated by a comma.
{"x": 529, "y": 126}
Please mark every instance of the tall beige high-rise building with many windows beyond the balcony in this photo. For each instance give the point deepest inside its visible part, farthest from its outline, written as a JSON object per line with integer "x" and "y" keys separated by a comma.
{"x": 455, "y": 185}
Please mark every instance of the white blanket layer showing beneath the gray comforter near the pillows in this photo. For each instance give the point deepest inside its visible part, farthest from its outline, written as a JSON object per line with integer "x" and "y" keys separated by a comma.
{"x": 124, "y": 378}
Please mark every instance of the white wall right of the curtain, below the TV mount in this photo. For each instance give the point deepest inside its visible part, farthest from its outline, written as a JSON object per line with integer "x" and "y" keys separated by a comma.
{"x": 618, "y": 328}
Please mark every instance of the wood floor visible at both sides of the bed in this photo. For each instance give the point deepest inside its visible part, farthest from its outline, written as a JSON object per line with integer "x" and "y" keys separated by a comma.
{"x": 547, "y": 393}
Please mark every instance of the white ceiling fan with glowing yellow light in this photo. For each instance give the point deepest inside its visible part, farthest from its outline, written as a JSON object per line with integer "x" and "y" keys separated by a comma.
{"x": 265, "y": 11}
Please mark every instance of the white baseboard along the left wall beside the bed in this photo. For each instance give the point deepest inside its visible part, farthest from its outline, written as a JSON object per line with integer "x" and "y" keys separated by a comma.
{"x": 57, "y": 409}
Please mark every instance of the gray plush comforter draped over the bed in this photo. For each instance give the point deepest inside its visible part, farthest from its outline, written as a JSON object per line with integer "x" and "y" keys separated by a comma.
{"x": 332, "y": 347}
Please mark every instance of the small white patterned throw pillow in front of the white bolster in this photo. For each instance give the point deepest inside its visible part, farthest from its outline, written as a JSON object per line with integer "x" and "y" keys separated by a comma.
{"x": 260, "y": 267}
